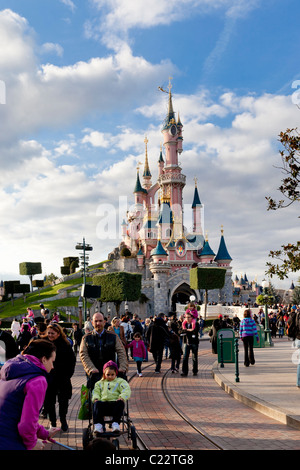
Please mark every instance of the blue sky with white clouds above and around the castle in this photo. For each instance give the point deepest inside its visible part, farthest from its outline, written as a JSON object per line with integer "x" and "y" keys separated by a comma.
{"x": 81, "y": 80}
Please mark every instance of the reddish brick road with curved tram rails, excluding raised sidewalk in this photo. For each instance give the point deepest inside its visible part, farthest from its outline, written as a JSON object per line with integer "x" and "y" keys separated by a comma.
{"x": 226, "y": 421}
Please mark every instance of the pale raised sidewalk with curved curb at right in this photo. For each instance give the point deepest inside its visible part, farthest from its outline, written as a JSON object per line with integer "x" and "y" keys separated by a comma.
{"x": 270, "y": 385}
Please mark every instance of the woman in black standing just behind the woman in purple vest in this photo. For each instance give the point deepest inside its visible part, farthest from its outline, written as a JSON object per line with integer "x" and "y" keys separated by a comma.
{"x": 60, "y": 385}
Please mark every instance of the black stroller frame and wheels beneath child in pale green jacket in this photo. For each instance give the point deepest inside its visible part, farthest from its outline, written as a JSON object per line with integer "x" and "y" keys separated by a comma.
{"x": 126, "y": 426}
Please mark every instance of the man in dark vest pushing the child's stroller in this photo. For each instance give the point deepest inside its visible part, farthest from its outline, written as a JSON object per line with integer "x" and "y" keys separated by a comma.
{"x": 99, "y": 347}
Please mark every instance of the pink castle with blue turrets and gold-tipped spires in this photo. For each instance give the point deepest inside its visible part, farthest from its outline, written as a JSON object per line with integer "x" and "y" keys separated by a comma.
{"x": 155, "y": 233}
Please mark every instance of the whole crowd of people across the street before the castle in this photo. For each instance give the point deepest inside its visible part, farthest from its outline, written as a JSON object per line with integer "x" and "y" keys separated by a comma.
{"x": 41, "y": 358}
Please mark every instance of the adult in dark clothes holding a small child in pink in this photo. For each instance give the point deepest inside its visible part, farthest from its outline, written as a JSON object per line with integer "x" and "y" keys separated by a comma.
{"x": 190, "y": 344}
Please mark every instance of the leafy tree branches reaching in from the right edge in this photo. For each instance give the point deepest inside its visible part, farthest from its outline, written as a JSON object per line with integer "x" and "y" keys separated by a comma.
{"x": 288, "y": 256}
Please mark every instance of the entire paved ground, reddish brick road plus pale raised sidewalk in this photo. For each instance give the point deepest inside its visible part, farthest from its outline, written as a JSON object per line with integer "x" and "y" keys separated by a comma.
{"x": 213, "y": 403}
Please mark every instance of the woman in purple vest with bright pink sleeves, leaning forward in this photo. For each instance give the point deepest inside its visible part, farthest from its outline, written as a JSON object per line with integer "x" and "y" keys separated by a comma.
{"x": 23, "y": 384}
